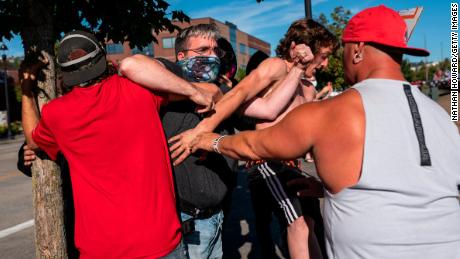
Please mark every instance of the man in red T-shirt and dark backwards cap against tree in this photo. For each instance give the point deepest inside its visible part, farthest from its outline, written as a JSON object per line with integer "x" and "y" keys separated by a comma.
{"x": 109, "y": 130}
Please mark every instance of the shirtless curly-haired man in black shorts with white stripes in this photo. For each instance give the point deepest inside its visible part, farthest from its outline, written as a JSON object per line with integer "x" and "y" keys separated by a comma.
{"x": 289, "y": 70}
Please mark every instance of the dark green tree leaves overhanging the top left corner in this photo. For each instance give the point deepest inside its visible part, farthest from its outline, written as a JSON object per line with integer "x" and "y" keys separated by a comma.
{"x": 117, "y": 20}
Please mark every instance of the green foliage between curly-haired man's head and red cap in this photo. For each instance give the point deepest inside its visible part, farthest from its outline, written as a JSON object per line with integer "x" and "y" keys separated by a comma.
{"x": 334, "y": 72}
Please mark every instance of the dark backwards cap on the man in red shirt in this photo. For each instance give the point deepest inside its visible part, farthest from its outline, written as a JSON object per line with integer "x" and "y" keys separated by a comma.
{"x": 81, "y": 58}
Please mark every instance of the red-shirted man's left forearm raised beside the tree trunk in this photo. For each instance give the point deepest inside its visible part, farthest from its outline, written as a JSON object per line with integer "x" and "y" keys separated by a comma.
{"x": 30, "y": 117}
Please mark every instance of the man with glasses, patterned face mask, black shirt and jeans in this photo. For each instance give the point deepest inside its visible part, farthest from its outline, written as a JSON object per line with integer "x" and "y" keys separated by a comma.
{"x": 202, "y": 183}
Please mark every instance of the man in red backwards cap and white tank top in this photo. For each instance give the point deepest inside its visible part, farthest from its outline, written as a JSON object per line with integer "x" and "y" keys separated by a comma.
{"x": 387, "y": 155}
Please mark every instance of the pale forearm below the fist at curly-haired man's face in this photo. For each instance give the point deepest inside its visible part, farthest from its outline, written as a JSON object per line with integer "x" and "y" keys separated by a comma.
{"x": 272, "y": 105}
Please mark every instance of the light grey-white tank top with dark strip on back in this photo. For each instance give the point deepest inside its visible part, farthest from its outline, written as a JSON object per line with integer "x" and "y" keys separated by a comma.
{"x": 405, "y": 204}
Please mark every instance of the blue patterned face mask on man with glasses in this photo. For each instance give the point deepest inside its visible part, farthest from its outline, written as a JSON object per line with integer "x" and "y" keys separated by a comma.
{"x": 200, "y": 68}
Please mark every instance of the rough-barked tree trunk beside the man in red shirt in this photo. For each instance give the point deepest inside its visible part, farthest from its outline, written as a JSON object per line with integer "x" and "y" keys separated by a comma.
{"x": 50, "y": 241}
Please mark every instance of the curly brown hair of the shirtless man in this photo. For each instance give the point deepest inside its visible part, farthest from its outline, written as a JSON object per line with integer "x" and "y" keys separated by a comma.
{"x": 308, "y": 32}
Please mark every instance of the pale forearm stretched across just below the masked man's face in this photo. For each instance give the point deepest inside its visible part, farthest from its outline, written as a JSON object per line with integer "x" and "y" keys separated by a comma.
{"x": 153, "y": 75}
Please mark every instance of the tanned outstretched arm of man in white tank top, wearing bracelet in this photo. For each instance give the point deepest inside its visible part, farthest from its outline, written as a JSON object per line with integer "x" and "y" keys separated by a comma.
{"x": 291, "y": 138}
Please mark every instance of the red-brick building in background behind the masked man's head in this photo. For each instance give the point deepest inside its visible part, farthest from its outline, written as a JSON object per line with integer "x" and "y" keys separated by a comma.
{"x": 243, "y": 44}
